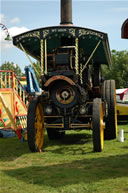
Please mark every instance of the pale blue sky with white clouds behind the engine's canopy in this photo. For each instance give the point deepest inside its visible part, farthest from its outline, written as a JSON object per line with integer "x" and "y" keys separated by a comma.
{"x": 21, "y": 16}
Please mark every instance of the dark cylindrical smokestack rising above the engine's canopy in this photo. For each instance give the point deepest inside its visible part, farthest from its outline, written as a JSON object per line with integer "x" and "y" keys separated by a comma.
{"x": 66, "y": 12}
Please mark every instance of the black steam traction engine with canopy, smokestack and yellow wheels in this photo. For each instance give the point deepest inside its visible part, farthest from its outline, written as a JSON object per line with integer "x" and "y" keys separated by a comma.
{"x": 74, "y": 94}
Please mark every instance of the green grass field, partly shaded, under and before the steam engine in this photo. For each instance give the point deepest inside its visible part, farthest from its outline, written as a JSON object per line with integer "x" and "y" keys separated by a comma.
{"x": 67, "y": 166}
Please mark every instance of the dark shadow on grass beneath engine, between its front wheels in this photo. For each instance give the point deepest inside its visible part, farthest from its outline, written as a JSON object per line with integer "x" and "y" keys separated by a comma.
{"x": 70, "y": 144}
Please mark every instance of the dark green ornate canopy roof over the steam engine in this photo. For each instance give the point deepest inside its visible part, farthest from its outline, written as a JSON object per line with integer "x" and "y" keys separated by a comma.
{"x": 88, "y": 39}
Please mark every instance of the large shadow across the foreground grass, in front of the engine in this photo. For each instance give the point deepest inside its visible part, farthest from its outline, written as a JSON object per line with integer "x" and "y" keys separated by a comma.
{"x": 75, "y": 172}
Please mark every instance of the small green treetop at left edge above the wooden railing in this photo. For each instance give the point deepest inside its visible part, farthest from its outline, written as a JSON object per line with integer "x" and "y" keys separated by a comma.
{"x": 11, "y": 66}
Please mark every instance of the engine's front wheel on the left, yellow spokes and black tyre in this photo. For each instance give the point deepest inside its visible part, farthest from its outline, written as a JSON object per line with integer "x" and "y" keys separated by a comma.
{"x": 35, "y": 126}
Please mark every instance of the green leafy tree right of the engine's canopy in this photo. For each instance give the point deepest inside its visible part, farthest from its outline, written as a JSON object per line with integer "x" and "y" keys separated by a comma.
{"x": 119, "y": 69}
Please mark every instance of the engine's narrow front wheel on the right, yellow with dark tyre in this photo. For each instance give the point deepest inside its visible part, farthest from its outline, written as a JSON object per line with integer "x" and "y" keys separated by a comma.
{"x": 97, "y": 121}
